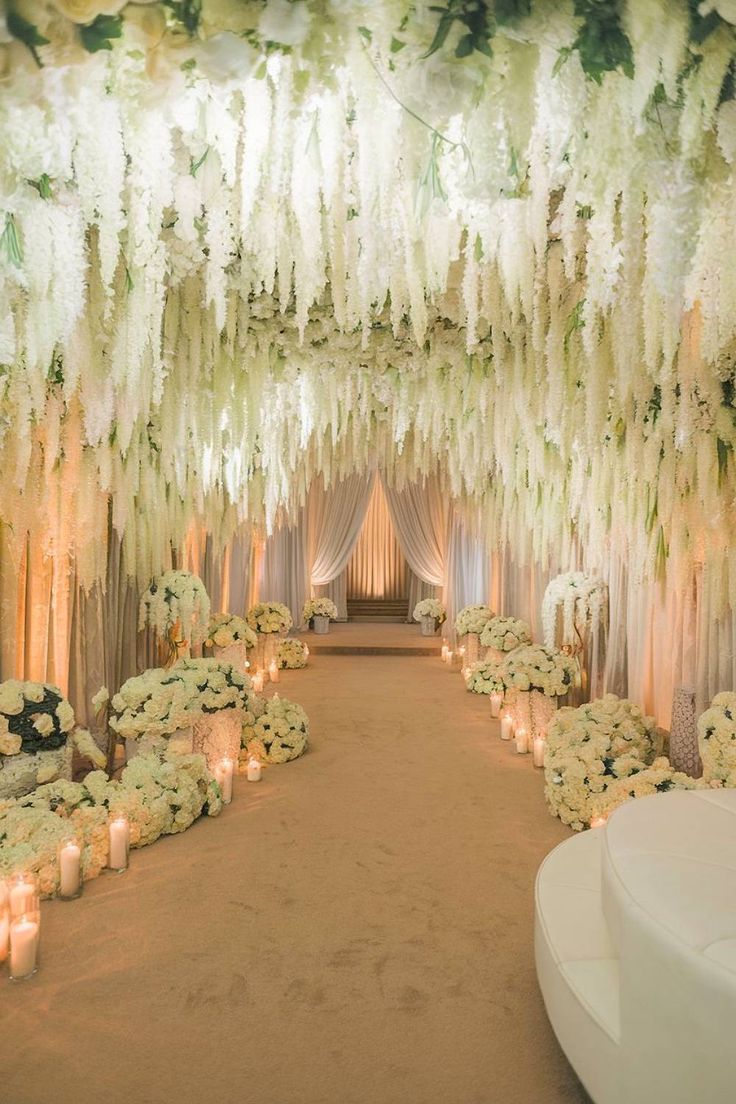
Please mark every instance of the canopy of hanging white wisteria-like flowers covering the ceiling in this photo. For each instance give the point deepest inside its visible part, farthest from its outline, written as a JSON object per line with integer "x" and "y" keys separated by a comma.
{"x": 248, "y": 241}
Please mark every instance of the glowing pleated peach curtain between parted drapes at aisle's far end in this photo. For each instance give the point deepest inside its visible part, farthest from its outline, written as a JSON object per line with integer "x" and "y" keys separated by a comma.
{"x": 378, "y": 567}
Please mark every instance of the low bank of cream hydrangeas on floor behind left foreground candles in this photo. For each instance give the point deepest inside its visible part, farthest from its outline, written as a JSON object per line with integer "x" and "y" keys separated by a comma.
{"x": 159, "y": 797}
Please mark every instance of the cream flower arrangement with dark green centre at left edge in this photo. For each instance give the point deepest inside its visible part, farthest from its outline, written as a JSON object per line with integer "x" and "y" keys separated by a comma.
{"x": 38, "y": 737}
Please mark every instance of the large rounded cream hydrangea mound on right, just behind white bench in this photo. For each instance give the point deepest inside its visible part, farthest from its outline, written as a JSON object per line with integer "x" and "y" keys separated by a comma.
{"x": 589, "y": 749}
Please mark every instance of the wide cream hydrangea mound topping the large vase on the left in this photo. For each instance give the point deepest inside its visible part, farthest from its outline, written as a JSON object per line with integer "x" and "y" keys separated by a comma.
{"x": 161, "y": 702}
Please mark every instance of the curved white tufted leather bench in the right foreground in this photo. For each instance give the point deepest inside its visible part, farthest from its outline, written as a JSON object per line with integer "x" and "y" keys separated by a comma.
{"x": 636, "y": 951}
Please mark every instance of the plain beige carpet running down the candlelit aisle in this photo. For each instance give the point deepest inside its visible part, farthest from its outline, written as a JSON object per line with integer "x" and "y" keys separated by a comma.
{"x": 358, "y": 929}
